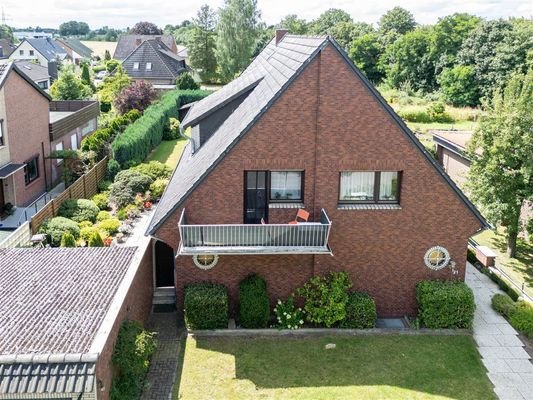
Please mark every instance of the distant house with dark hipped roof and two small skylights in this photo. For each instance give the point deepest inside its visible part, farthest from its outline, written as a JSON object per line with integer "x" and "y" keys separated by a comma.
{"x": 155, "y": 63}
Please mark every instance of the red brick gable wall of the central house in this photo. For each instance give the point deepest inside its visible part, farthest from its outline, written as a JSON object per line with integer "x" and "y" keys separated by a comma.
{"x": 328, "y": 122}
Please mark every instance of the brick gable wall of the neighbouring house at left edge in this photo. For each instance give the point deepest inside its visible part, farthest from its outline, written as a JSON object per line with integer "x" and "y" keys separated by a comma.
{"x": 27, "y": 118}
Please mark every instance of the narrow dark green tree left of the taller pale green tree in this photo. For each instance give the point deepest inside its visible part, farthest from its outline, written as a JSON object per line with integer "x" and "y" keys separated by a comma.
{"x": 202, "y": 44}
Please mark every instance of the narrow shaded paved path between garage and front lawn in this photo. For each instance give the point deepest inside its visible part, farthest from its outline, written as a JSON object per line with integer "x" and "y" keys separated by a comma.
{"x": 163, "y": 368}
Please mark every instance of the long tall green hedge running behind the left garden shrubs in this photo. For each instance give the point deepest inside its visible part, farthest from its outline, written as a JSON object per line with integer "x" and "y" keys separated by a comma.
{"x": 133, "y": 145}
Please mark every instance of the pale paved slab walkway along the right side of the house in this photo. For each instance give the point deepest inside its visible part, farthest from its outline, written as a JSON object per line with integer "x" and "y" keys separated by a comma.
{"x": 508, "y": 364}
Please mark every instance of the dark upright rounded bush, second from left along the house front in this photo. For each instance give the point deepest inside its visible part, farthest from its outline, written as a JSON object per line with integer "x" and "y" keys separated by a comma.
{"x": 254, "y": 307}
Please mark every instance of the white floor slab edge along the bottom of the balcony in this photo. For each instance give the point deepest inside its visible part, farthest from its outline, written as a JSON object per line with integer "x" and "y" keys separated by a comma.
{"x": 258, "y": 250}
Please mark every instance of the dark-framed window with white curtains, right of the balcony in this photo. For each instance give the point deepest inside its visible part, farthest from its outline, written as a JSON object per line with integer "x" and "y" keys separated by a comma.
{"x": 370, "y": 187}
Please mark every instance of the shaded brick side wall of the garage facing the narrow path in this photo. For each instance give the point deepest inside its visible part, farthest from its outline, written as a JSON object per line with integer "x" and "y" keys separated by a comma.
{"x": 136, "y": 306}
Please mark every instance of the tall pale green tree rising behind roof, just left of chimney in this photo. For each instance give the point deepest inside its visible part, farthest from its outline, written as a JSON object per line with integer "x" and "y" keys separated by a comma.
{"x": 237, "y": 33}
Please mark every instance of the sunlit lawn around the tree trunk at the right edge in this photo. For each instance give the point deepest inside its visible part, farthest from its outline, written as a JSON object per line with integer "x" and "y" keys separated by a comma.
{"x": 520, "y": 269}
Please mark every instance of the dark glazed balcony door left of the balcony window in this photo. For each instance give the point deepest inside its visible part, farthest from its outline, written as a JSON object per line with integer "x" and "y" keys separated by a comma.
{"x": 255, "y": 197}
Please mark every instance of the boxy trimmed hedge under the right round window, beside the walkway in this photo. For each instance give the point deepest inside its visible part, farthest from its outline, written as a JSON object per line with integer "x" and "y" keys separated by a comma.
{"x": 445, "y": 304}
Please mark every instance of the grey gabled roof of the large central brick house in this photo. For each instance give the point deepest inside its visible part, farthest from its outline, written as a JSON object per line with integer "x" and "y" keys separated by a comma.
{"x": 277, "y": 66}
